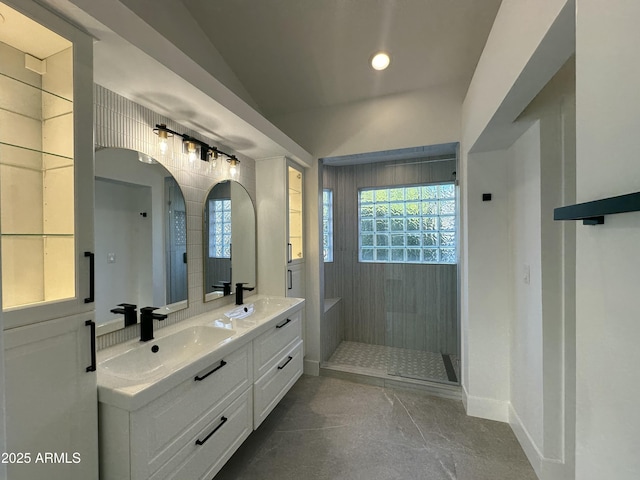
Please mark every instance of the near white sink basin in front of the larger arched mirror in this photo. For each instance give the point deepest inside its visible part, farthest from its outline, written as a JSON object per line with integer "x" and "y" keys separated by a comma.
{"x": 171, "y": 352}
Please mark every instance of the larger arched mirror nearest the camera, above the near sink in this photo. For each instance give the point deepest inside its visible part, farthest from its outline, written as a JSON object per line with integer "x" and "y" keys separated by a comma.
{"x": 140, "y": 237}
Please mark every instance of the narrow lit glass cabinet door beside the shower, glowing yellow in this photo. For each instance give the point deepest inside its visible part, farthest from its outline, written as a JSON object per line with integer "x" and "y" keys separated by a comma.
{"x": 295, "y": 223}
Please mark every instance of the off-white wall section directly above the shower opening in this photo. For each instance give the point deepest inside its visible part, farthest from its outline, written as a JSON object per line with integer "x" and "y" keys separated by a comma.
{"x": 426, "y": 117}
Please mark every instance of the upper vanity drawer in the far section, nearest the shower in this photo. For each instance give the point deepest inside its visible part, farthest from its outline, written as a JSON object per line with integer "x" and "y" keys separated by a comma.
{"x": 268, "y": 347}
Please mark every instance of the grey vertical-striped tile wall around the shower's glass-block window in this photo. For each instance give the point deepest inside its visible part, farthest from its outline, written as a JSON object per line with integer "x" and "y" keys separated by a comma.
{"x": 400, "y": 305}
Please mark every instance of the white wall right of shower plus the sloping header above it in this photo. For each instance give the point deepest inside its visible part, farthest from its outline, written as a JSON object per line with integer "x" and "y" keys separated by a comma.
{"x": 527, "y": 45}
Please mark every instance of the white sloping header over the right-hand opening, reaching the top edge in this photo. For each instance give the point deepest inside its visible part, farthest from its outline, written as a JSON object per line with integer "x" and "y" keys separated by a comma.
{"x": 529, "y": 41}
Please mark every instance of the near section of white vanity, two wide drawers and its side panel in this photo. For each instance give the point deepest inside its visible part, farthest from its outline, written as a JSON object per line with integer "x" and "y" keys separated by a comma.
{"x": 188, "y": 432}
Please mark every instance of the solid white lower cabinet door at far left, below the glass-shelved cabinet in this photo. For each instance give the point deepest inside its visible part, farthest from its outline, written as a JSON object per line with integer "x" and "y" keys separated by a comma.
{"x": 51, "y": 400}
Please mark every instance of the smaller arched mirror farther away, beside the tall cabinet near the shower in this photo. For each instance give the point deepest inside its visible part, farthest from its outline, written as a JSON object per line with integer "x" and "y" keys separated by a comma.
{"x": 229, "y": 228}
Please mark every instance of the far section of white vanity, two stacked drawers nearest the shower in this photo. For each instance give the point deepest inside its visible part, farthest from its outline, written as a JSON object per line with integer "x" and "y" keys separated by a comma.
{"x": 277, "y": 355}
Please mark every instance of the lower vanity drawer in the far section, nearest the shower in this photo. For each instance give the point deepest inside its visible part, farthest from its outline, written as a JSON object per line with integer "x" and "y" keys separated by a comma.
{"x": 276, "y": 382}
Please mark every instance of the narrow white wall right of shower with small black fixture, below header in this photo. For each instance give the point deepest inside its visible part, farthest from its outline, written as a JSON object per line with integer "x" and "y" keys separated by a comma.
{"x": 485, "y": 312}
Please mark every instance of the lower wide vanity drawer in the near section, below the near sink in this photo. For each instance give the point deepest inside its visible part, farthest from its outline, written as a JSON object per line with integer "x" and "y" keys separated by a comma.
{"x": 218, "y": 435}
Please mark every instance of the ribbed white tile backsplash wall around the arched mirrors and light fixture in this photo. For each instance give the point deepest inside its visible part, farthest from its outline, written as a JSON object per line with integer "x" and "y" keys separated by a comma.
{"x": 121, "y": 123}
